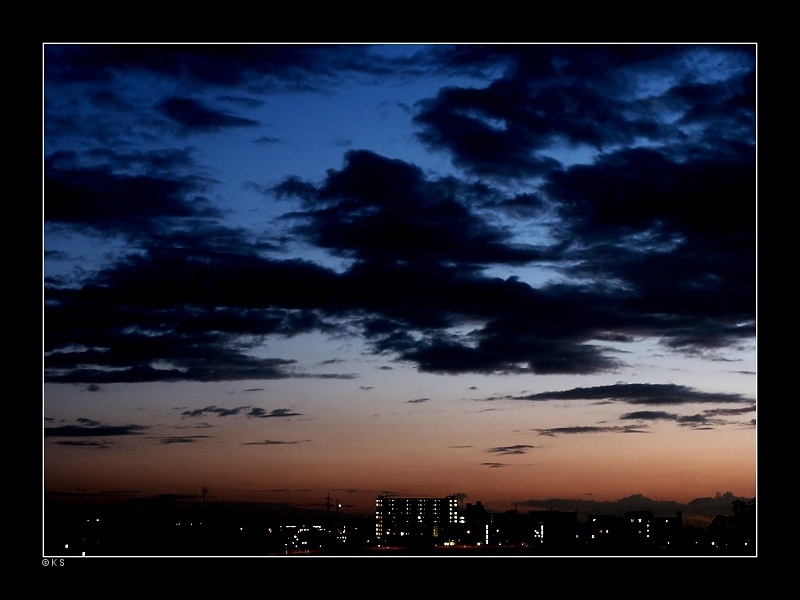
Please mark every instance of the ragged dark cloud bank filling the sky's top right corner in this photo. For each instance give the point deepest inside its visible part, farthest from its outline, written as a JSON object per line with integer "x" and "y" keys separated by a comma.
{"x": 592, "y": 96}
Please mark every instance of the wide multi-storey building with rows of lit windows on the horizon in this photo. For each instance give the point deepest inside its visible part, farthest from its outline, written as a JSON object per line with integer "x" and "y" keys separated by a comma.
{"x": 414, "y": 521}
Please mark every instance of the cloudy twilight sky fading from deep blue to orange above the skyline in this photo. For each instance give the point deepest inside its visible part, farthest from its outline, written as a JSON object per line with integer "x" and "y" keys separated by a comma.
{"x": 512, "y": 272}
